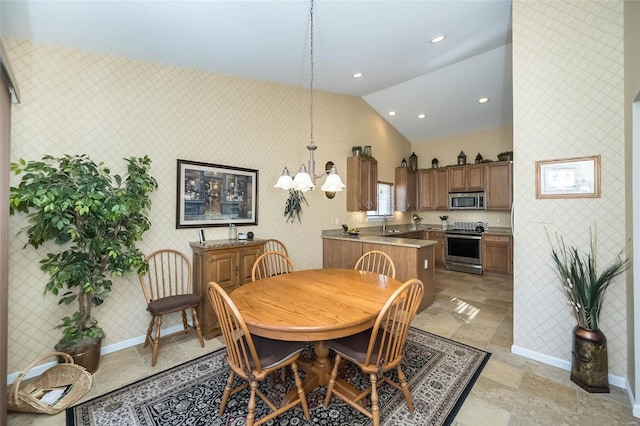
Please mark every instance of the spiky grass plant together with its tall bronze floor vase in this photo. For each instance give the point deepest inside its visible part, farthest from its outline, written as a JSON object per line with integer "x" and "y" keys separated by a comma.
{"x": 585, "y": 290}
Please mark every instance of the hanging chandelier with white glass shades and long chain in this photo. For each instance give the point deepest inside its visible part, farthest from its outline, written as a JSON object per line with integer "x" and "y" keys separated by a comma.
{"x": 305, "y": 178}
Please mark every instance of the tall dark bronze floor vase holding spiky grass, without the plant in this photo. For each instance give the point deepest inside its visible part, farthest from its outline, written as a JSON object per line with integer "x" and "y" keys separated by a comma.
{"x": 590, "y": 366}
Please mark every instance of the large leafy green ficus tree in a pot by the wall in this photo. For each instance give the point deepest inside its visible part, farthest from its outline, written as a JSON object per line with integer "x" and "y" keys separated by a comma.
{"x": 95, "y": 220}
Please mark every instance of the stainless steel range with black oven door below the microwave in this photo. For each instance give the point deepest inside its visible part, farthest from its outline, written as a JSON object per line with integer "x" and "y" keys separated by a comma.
{"x": 463, "y": 247}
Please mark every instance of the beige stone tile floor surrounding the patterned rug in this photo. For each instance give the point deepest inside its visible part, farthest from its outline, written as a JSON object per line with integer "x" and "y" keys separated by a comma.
{"x": 476, "y": 310}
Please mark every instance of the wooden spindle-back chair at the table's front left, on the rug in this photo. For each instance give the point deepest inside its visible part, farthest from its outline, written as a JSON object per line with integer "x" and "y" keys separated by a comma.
{"x": 253, "y": 358}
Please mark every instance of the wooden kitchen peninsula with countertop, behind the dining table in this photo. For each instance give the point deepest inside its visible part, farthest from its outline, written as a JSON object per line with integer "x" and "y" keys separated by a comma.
{"x": 413, "y": 258}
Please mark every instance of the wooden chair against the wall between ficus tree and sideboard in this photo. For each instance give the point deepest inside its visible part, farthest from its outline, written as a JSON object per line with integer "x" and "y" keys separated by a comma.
{"x": 167, "y": 289}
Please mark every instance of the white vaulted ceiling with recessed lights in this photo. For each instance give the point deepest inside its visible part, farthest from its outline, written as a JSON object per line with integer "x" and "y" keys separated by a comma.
{"x": 388, "y": 41}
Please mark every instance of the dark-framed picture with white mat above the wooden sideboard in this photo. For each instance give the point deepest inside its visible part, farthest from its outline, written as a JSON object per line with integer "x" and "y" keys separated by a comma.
{"x": 216, "y": 195}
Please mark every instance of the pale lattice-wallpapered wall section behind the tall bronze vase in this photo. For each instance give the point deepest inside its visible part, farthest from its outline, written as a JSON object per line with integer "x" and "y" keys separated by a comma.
{"x": 568, "y": 102}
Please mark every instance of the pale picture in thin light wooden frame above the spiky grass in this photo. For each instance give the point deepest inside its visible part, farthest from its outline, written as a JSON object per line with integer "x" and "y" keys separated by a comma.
{"x": 577, "y": 177}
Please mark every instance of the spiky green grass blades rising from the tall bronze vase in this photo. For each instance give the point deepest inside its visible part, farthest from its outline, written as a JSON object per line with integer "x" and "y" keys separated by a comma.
{"x": 580, "y": 280}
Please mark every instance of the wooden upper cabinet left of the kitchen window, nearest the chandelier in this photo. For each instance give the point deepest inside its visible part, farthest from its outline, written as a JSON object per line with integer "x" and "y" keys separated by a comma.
{"x": 362, "y": 184}
